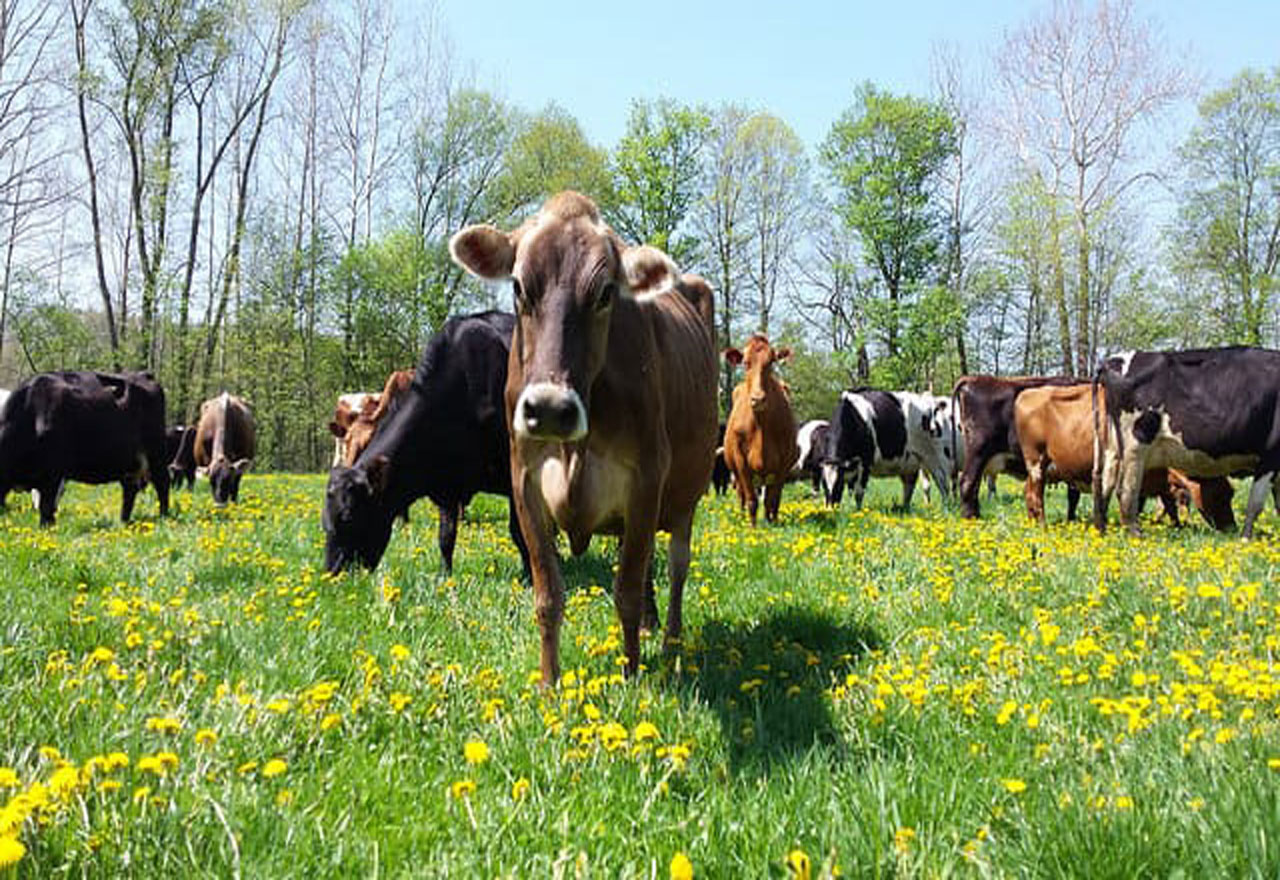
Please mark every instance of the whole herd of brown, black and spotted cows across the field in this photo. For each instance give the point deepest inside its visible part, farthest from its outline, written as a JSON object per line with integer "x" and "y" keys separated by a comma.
{"x": 593, "y": 410}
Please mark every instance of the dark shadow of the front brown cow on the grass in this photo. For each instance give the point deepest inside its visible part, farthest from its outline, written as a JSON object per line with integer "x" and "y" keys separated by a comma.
{"x": 769, "y": 681}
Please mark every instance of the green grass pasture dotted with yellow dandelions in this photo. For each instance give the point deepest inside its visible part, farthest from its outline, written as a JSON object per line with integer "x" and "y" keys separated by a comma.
{"x": 870, "y": 694}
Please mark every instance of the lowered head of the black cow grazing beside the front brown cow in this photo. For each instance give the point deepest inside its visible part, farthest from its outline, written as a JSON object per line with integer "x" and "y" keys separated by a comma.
{"x": 356, "y": 524}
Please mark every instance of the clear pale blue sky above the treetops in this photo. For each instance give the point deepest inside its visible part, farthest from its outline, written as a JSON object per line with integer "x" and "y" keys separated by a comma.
{"x": 799, "y": 61}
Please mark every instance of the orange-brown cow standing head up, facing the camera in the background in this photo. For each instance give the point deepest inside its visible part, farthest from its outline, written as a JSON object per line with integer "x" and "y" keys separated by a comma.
{"x": 761, "y": 437}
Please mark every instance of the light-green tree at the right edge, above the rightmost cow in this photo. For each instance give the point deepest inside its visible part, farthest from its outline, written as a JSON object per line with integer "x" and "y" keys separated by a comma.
{"x": 1228, "y": 230}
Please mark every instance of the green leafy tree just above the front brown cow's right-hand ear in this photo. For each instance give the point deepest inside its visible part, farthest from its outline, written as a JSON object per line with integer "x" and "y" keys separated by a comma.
{"x": 657, "y": 172}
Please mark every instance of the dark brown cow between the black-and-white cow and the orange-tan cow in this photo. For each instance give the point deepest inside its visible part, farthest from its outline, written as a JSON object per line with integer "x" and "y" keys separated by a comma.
{"x": 986, "y": 410}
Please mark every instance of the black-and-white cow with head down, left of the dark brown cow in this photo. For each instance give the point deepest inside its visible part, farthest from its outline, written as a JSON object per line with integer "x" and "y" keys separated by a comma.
{"x": 884, "y": 434}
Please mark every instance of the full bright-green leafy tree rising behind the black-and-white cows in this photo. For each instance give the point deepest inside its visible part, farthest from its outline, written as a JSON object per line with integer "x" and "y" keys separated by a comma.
{"x": 884, "y": 155}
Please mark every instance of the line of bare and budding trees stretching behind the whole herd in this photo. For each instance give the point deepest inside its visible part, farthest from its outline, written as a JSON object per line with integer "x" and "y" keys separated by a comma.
{"x": 259, "y": 198}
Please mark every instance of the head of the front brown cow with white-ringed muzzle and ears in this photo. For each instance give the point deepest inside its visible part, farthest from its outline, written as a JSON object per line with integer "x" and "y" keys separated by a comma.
{"x": 569, "y": 273}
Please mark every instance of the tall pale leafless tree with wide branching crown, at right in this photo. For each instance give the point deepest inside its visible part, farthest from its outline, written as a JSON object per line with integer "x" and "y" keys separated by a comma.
{"x": 1080, "y": 84}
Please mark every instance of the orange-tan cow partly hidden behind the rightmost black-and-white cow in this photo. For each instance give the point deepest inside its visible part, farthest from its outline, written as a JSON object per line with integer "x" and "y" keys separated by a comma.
{"x": 1055, "y": 434}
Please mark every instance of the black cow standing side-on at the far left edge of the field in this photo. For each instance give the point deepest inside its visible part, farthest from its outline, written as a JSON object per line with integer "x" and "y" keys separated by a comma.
{"x": 88, "y": 427}
